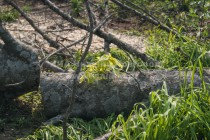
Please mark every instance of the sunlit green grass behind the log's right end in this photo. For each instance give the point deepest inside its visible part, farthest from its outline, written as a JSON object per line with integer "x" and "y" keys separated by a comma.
{"x": 171, "y": 52}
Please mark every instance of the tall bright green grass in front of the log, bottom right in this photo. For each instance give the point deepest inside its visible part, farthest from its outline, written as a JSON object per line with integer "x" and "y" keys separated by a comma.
{"x": 167, "y": 117}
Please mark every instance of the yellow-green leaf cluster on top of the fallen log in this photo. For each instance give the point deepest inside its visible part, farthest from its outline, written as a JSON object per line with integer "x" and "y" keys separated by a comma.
{"x": 105, "y": 64}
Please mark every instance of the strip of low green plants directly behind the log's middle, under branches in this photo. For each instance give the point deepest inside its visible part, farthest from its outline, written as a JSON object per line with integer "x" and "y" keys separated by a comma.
{"x": 129, "y": 62}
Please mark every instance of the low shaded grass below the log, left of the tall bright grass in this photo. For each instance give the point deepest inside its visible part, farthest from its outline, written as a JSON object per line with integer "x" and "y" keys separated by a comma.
{"x": 78, "y": 130}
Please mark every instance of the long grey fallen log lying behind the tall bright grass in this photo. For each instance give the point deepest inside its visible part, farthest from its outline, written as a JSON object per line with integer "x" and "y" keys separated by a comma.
{"x": 114, "y": 95}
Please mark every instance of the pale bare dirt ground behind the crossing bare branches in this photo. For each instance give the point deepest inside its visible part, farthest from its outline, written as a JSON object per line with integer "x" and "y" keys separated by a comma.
{"x": 63, "y": 32}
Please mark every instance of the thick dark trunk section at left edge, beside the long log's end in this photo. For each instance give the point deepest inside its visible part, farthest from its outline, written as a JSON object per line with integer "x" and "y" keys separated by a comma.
{"x": 19, "y": 67}
